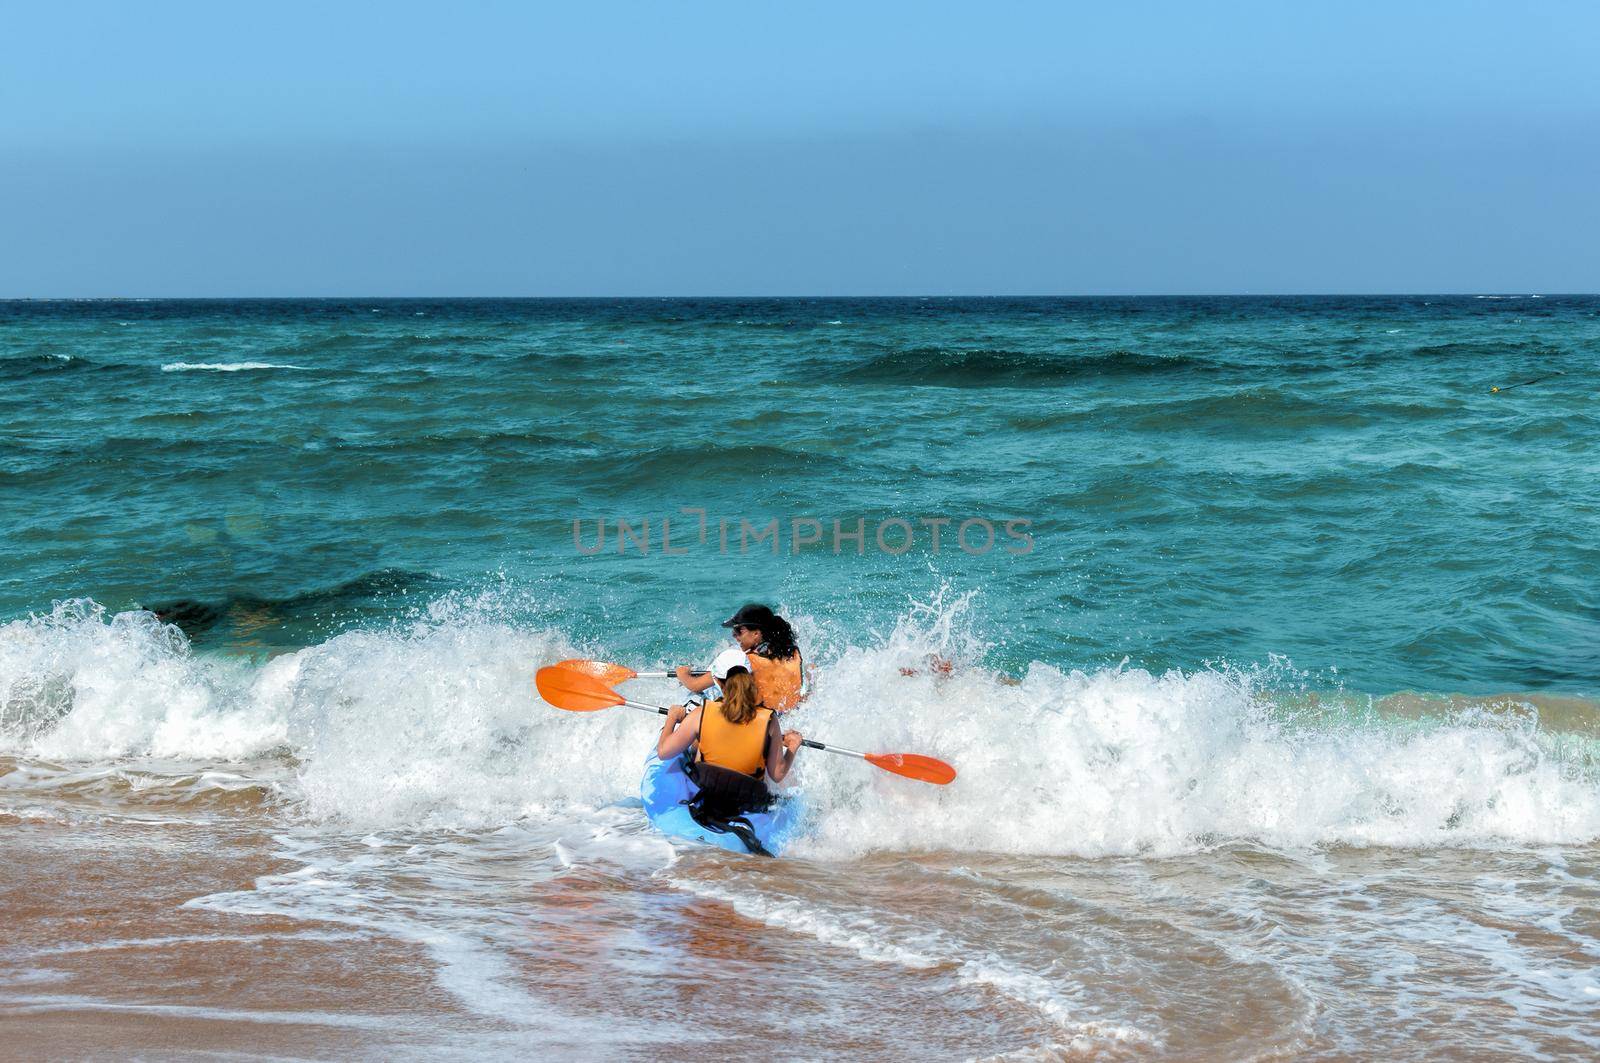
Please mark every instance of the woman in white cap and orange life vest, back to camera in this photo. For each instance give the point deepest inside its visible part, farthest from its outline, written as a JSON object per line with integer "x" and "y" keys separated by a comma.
{"x": 740, "y": 744}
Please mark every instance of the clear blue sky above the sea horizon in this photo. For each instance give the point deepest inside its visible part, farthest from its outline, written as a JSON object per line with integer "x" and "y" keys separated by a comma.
{"x": 684, "y": 148}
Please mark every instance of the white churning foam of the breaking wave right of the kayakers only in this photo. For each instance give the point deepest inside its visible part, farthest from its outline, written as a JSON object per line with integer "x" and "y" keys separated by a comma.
{"x": 1130, "y": 763}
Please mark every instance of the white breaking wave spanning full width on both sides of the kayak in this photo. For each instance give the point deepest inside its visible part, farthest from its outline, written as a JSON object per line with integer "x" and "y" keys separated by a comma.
{"x": 433, "y": 723}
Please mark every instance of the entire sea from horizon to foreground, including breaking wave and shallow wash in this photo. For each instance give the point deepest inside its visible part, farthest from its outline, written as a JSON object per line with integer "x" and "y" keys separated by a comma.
{"x": 1274, "y": 704}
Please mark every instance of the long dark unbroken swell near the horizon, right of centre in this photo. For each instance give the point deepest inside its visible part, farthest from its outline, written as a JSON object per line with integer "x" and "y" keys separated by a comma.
{"x": 982, "y": 367}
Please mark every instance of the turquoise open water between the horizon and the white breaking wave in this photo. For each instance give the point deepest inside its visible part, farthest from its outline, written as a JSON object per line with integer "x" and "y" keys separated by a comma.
{"x": 1330, "y": 481}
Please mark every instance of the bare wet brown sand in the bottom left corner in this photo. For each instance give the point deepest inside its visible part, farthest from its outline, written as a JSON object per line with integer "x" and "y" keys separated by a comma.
{"x": 116, "y": 963}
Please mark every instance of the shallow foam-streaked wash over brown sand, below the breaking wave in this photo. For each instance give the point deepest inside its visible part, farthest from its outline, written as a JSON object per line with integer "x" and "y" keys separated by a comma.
{"x": 494, "y": 947}
